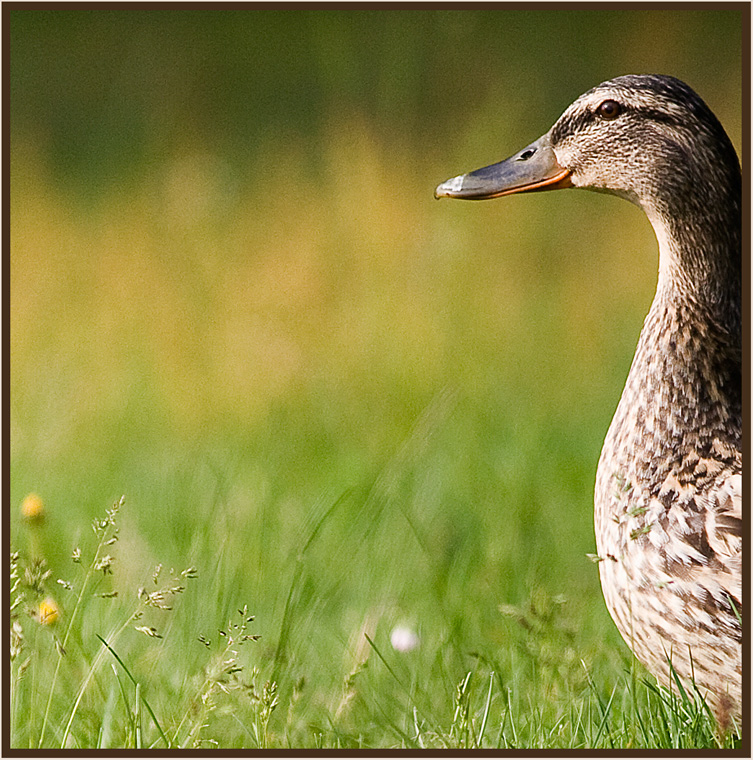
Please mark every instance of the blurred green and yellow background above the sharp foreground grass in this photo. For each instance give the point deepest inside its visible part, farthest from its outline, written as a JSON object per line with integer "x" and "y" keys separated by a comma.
{"x": 235, "y": 300}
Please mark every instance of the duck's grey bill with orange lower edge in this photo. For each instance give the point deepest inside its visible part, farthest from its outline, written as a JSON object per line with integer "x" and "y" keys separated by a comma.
{"x": 533, "y": 168}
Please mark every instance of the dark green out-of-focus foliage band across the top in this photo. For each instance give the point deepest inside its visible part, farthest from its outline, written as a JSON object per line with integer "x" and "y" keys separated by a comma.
{"x": 103, "y": 89}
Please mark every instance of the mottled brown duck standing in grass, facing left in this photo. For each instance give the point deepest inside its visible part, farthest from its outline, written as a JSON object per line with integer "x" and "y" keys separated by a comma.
{"x": 668, "y": 516}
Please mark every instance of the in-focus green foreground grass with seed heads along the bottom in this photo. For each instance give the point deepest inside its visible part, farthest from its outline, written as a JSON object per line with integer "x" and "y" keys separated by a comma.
{"x": 116, "y": 690}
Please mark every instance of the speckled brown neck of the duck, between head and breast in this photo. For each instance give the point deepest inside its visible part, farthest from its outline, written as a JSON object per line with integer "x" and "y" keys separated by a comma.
{"x": 687, "y": 366}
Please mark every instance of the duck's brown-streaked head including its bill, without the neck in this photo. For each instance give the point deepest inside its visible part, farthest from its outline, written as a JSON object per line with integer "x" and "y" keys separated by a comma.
{"x": 648, "y": 138}
